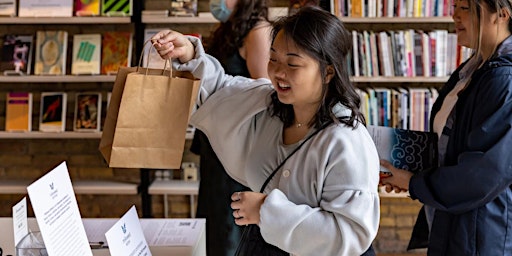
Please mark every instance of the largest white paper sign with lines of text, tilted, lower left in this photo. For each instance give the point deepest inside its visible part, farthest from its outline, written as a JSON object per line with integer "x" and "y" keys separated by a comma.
{"x": 57, "y": 214}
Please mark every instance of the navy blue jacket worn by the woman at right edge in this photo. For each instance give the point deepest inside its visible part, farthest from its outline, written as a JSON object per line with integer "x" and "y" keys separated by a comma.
{"x": 471, "y": 191}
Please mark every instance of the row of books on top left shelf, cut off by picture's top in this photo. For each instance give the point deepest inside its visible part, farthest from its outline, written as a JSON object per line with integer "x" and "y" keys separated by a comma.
{"x": 65, "y": 8}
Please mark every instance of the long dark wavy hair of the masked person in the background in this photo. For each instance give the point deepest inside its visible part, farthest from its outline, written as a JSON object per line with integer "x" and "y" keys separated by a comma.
{"x": 229, "y": 36}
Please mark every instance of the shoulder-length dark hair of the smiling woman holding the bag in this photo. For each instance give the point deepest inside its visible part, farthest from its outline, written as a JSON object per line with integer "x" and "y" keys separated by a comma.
{"x": 323, "y": 37}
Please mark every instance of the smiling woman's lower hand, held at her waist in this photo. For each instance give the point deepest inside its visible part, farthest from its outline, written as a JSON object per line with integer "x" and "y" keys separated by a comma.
{"x": 246, "y": 207}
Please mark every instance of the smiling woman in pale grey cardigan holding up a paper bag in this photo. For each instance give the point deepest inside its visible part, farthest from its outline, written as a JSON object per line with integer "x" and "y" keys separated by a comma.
{"x": 324, "y": 199}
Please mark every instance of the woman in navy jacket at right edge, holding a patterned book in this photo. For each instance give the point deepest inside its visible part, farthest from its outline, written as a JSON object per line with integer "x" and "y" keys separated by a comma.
{"x": 468, "y": 199}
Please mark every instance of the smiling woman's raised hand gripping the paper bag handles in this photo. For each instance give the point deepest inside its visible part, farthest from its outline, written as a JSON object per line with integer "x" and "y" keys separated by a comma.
{"x": 173, "y": 45}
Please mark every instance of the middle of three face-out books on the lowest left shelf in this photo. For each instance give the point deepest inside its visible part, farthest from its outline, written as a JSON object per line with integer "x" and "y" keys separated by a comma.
{"x": 52, "y": 116}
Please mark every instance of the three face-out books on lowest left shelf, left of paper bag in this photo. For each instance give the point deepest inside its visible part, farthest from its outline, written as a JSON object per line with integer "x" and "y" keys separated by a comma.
{"x": 52, "y": 117}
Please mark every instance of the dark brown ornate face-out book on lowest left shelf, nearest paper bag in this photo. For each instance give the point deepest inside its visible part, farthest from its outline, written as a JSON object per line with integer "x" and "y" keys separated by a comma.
{"x": 87, "y": 117}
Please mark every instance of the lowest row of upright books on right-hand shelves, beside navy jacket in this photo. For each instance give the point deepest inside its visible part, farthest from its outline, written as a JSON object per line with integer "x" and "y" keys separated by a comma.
{"x": 405, "y": 108}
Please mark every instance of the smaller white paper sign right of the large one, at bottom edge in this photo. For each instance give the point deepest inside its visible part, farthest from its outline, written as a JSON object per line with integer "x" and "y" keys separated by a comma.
{"x": 126, "y": 238}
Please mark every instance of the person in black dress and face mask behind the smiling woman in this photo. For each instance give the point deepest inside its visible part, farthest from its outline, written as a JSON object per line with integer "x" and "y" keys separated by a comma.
{"x": 241, "y": 43}
